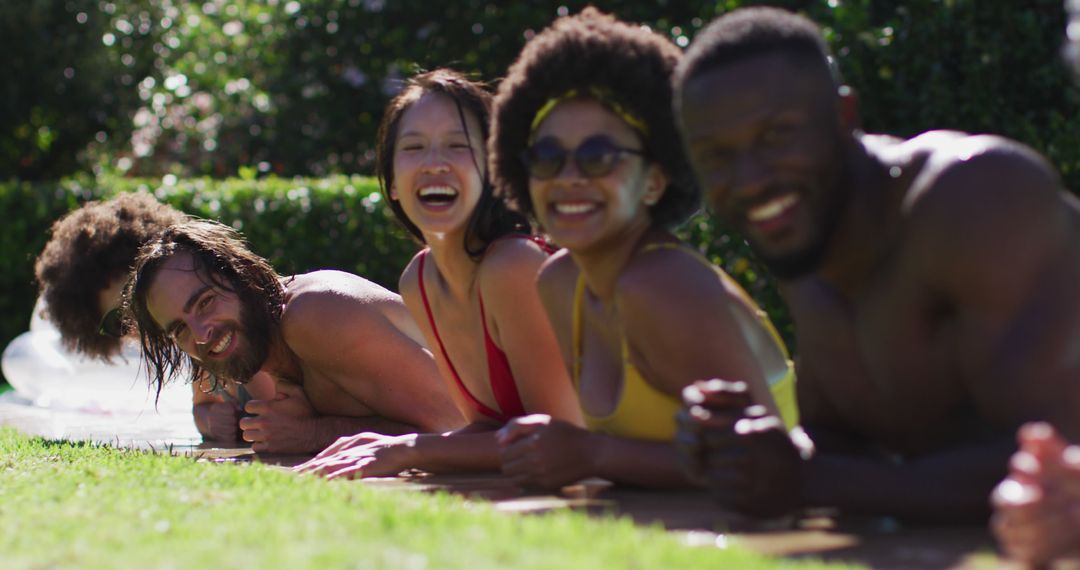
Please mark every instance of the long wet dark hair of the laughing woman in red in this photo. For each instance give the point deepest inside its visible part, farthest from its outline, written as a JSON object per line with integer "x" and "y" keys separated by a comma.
{"x": 491, "y": 220}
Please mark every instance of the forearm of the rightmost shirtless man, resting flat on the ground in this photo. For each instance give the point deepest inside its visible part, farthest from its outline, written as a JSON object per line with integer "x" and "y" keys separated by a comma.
{"x": 951, "y": 486}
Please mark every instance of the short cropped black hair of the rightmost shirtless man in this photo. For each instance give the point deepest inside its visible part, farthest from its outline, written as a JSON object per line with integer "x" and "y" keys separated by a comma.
{"x": 750, "y": 33}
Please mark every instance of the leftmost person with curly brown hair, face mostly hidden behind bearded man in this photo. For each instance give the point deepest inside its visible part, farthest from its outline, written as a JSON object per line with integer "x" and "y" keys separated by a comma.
{"x": 82, "y": 274}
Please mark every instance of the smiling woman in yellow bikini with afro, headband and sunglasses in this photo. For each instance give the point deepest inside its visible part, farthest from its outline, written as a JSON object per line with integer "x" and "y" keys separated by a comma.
{"x": 585, "y": 142}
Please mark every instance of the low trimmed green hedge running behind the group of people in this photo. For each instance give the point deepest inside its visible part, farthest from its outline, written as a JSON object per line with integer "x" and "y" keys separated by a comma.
{"x": 300, "y": 225}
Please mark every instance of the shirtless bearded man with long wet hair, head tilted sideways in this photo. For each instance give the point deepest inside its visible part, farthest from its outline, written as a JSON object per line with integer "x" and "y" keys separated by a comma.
{"x": 344, "y": 352}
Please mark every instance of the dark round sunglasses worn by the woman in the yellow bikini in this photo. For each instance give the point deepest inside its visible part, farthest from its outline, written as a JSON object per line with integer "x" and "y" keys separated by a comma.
{"x": 596, "y": 157}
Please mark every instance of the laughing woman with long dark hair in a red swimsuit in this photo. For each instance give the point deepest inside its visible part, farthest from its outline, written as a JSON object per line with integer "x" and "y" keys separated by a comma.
{"x": 471, "y": 289}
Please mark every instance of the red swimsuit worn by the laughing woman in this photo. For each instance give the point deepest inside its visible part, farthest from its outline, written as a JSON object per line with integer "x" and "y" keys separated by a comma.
{"x": 498, "y": 368}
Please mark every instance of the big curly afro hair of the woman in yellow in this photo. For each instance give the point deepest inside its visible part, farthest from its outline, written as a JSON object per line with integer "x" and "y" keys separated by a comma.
{"x": 586, "y": 52}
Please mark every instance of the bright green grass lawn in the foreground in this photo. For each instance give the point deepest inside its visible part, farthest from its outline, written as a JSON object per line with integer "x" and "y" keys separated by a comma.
{"x": 75, "y": 506}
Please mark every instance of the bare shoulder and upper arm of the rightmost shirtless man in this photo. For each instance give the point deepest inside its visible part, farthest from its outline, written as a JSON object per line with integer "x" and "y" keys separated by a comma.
{"x": 1009, "y": 272}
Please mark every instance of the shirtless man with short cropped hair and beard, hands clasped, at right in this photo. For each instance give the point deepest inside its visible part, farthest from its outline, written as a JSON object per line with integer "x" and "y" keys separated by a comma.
{"x": 933, "y": 281}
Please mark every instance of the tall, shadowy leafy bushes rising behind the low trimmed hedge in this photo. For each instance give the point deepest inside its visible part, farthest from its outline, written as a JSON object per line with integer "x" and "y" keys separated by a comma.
{"x": 281, "y": 87}
